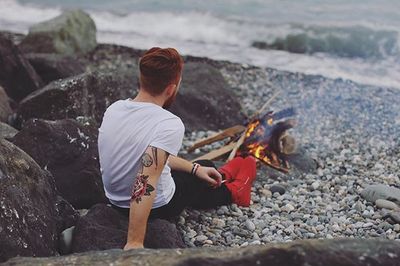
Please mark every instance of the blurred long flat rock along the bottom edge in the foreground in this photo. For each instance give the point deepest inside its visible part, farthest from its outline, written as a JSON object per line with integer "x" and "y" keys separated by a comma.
{"x": 335, "y": 252}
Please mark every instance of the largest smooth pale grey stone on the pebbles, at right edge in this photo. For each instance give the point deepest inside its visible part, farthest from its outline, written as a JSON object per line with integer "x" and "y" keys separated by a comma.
{"x": 374, "y": 192}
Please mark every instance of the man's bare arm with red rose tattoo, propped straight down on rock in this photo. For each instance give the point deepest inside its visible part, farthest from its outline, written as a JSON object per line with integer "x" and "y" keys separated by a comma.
{"x": 143, "y": 194}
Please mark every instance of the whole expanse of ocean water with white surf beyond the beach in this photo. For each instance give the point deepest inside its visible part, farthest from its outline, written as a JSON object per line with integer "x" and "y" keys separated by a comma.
{"x": 357, "y": 40}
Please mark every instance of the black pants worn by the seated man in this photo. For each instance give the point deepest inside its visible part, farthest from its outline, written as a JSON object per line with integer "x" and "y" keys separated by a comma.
{"x": 190, "y": 192}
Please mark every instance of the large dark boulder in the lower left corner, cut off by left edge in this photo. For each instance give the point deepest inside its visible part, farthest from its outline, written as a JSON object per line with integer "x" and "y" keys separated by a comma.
{"x": 28, "y": 216}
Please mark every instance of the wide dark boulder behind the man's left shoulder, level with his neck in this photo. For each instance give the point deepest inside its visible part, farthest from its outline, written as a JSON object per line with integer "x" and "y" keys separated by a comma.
{"x": 87, "y": 95}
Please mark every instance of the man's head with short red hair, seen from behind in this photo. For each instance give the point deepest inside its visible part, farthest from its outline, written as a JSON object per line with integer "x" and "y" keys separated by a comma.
{"x": 159, "y": 68}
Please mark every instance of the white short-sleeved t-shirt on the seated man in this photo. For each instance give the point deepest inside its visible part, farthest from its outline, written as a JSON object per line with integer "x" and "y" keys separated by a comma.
{"x": 128, "y": 128}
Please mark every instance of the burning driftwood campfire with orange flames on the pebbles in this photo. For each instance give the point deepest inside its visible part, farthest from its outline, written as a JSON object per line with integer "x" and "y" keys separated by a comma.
{"x": 265, "y": 137}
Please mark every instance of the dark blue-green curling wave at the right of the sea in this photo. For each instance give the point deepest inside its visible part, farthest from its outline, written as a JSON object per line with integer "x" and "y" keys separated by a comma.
{"x": 351, "y": 42}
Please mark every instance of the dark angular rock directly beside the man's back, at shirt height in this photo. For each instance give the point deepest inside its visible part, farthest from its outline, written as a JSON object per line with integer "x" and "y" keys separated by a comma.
{"x": 69, "y": 151}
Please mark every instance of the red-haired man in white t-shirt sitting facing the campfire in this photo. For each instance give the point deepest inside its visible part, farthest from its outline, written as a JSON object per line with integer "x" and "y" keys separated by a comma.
{"x": 138, "y": 145}
